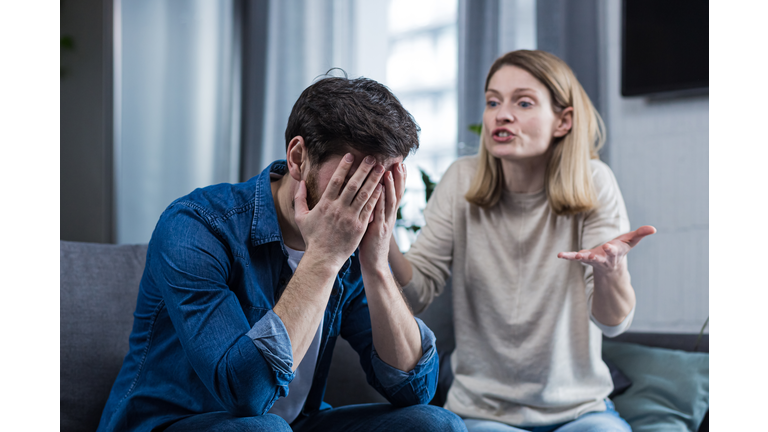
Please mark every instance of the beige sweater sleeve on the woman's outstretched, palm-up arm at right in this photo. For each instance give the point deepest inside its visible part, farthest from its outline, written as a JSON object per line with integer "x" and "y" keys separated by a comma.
{"x": 602, "y": 224}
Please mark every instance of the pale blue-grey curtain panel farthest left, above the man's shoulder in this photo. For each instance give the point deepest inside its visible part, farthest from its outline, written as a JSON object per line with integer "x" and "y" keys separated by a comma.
{"x": 177, "y": 105}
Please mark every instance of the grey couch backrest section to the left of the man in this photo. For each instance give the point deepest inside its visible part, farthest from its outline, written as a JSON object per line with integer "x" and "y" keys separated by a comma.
{"x": 98, "y": 287}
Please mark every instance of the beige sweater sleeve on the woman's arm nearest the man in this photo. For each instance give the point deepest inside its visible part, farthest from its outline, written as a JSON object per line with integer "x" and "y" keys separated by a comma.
{"x": 431, "y": 255}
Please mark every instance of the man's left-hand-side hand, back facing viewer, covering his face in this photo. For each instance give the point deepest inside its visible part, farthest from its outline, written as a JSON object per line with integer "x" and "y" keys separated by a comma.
{"x": 335, "y": 226}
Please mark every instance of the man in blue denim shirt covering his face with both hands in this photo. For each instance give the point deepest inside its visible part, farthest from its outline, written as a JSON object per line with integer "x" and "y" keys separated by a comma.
{"x": 247, "y": 286}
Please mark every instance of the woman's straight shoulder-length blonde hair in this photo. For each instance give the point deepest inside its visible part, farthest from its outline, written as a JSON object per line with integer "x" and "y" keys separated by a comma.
{"x": 568, "y": 180}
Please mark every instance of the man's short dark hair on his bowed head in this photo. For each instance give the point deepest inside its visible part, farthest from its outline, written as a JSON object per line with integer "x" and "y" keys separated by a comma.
{"x": 334, "y": 114}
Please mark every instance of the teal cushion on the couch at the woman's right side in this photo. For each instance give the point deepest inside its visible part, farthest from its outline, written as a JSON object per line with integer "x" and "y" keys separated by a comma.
{"x": 670, "y": 388}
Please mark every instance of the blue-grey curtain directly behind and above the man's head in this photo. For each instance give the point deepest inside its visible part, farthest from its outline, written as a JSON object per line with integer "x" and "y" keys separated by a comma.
{"x": 289, "y": 43}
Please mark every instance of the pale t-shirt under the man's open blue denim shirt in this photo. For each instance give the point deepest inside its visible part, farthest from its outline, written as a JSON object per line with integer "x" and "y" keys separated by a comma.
{"x": 289, "y": 407}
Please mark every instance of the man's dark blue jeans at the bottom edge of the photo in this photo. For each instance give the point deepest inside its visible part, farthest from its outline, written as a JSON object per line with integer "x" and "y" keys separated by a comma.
{"x": 362, "y": 418}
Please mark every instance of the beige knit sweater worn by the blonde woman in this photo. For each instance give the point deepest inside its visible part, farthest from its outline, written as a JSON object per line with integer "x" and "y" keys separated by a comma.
{"x": 526, "y": 352}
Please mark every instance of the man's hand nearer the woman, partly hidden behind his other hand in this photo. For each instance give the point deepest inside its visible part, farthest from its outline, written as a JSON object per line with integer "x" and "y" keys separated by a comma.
{"x": 374, "y": 248}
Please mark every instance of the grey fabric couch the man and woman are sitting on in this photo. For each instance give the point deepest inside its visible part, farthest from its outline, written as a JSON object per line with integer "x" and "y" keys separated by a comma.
{"x": 99, "y": 285}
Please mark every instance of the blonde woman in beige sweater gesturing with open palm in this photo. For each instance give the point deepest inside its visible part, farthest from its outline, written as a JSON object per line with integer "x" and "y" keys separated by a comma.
{"x": 502, "y": 223}
